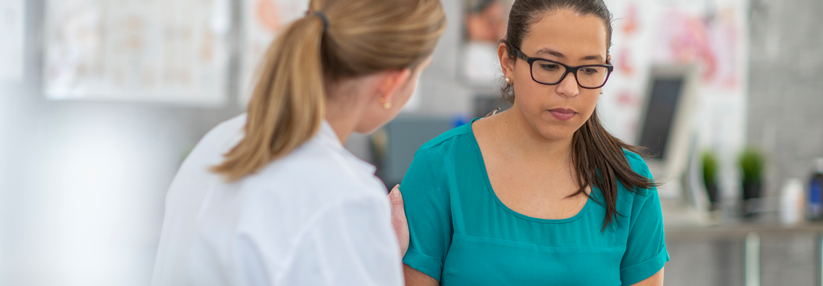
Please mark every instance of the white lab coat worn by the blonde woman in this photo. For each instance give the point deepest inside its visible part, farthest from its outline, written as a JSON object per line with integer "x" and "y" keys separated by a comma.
{"x": 318, "y": 216}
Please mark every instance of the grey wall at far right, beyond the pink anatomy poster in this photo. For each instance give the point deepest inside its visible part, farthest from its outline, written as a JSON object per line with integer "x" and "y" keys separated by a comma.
{"x": 786, "y": 86}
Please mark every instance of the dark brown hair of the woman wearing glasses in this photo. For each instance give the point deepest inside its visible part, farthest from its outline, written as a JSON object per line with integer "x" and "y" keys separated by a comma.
{"x": 597, "y": 156}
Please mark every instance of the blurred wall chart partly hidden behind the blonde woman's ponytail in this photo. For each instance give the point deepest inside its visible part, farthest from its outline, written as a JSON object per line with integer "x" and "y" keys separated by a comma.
{"x": 262, "y": 20}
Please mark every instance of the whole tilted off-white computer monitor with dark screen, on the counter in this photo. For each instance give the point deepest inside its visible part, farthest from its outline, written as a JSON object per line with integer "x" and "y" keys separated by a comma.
{"x": 666, "y": 124}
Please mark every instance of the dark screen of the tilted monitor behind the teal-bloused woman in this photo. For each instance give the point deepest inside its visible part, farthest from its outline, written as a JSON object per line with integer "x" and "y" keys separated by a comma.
{"x": 662, "y": 103}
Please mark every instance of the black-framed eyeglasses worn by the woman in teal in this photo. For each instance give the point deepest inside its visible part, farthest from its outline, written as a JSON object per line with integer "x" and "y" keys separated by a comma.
{"x": 549, "y": 72}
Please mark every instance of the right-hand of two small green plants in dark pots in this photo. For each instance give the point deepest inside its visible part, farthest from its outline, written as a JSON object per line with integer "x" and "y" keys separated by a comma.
{"x": 751, "y": 162}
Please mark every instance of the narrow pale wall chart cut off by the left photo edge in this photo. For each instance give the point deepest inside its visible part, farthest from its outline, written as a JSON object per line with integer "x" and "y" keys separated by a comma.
{"x": 12, "y": 16}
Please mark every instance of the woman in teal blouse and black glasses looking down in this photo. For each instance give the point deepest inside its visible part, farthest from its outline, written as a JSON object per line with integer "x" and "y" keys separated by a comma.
{"x": 540, "y": 194}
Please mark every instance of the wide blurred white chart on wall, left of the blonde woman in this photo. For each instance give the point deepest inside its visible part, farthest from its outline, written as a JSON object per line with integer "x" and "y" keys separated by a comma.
{"x": 173, "y": 51}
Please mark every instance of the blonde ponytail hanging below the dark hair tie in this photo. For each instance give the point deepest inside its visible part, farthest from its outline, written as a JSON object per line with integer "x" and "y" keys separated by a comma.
{"x": 288, "y": 102}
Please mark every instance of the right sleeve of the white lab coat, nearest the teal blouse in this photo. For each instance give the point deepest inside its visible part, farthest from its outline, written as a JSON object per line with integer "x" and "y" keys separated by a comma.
{"x": 350, "y": 244}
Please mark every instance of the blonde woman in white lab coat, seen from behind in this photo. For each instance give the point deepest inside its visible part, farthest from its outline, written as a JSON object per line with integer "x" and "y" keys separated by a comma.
{"x": 271, "y": 197}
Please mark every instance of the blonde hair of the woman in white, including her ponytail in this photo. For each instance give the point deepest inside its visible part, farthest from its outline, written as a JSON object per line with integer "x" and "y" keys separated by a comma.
{"x": 362, "y": 37}
